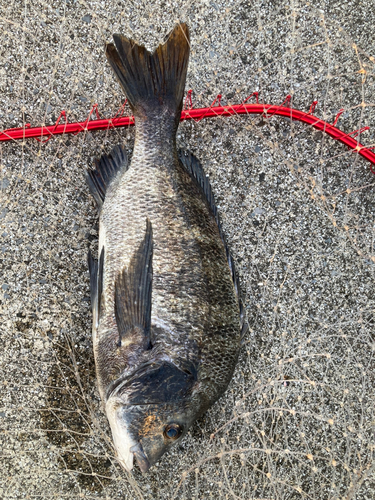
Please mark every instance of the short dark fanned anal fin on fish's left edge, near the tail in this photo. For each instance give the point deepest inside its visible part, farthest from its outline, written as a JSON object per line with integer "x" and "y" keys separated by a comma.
{"x": 106, "y": 169}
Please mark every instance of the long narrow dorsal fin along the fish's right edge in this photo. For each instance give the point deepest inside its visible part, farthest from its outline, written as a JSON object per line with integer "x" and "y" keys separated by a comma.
{"x": 195, "y": 169}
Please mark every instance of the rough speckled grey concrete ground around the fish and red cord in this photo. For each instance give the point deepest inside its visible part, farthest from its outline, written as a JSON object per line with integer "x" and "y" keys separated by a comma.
{"x": 298, "y": 211}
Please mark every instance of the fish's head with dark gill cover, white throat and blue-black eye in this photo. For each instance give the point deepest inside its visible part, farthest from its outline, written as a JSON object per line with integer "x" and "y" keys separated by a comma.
{"x": 150, "y": 412}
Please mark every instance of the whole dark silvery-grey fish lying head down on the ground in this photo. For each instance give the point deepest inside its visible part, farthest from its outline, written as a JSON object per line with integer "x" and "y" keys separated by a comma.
{"x": 167, "y": 314}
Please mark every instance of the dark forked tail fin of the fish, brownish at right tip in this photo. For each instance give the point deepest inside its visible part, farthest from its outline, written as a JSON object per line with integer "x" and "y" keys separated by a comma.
{"x": 152, "y": 81}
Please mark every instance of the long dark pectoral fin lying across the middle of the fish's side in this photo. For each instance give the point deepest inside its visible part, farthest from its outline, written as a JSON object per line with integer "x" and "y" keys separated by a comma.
{"x": 133, "y": 290}
